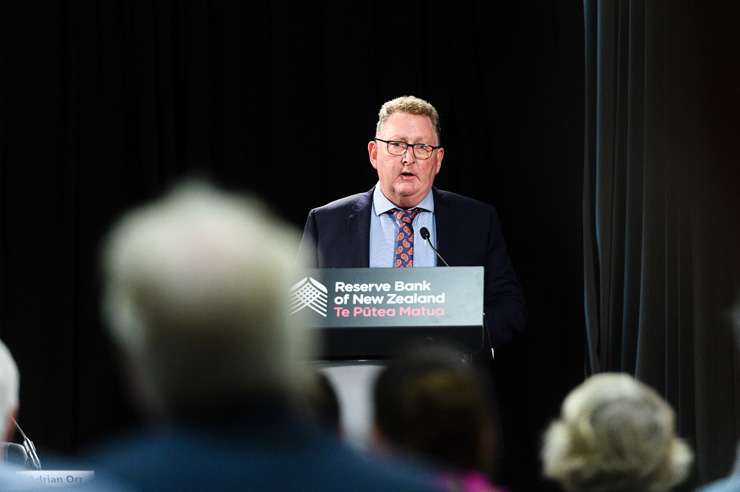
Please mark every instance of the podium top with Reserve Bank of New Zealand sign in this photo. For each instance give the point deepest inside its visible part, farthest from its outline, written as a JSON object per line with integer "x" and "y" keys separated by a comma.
{"x": 374, "y": 312}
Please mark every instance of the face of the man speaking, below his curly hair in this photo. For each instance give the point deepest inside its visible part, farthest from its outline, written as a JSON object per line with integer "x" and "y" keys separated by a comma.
{"x": 405, "y": 179}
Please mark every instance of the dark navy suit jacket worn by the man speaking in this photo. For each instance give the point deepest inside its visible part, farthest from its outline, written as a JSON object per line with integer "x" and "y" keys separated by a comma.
{"x": 337, "y": 235}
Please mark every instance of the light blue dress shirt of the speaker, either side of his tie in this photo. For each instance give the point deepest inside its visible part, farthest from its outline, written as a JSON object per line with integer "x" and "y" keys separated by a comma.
{"x": 383, "y": 231}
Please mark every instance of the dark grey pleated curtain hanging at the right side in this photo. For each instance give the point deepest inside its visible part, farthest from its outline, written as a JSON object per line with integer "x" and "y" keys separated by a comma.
{"x": 662, "y": 210}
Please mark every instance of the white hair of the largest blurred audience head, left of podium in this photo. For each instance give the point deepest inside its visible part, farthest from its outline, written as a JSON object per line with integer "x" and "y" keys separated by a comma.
{"x": 196, "y": 288}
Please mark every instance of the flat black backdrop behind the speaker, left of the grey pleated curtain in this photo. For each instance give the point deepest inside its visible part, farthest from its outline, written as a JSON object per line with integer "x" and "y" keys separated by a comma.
{"x": 106, "y": 104}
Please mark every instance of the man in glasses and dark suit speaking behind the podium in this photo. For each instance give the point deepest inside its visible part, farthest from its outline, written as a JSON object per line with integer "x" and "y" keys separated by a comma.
{"x": 381, "y": 227}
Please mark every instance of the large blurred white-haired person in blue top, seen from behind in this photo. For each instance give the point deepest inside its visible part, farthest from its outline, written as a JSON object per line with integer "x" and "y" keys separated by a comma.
{"x": 195, "y": 296}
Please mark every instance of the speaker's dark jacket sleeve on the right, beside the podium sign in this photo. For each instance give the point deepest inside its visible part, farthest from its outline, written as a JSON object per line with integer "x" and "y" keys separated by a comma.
{"x": 504, "y": 301}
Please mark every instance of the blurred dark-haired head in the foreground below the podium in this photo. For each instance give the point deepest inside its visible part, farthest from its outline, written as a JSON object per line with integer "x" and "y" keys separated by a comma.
{"x": 432, "y": 405}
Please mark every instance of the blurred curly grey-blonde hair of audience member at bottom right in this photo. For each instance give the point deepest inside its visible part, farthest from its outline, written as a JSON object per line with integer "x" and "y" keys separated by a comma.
{"x": 615, "y": 434}
